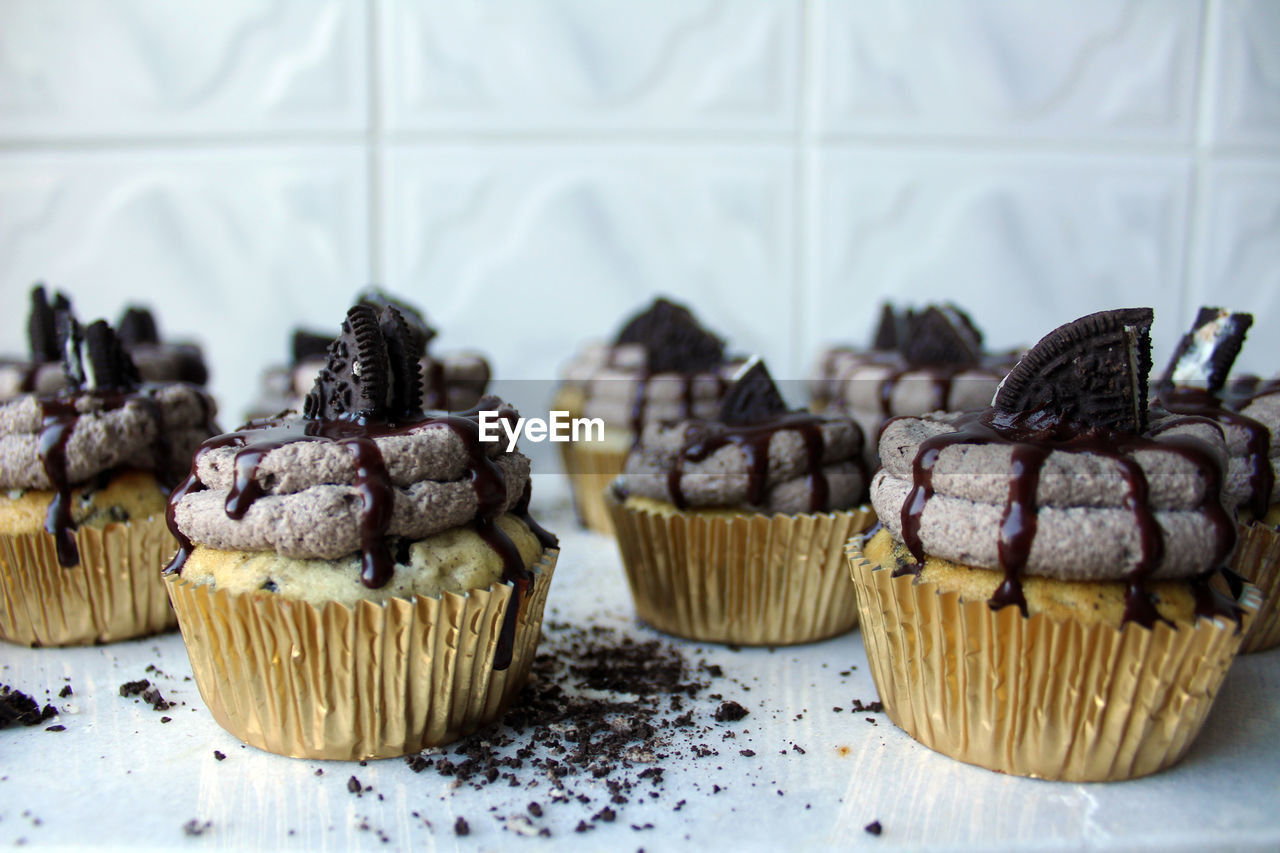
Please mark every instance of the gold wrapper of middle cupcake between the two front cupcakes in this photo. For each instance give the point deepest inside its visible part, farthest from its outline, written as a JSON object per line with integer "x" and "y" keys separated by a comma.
{"x": 743, "y": 580}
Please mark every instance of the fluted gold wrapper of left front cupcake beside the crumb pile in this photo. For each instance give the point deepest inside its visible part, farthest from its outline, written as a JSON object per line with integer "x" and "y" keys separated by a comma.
{"x": 354, "y": 683}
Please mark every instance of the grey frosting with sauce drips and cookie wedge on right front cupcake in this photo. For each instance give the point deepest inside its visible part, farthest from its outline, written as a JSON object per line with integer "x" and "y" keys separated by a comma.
{"x": 1067, "y": 476}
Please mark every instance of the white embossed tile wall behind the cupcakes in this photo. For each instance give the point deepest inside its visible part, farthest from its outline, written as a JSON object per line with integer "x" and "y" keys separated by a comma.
{"x": 532, "y": 172}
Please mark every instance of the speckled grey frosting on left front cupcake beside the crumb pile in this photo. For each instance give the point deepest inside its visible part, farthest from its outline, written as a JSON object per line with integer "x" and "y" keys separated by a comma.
{"x": 310, "y": 507}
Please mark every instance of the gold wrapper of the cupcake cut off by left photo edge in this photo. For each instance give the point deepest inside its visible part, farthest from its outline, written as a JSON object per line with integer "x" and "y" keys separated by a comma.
{"x": 115, "y": 594}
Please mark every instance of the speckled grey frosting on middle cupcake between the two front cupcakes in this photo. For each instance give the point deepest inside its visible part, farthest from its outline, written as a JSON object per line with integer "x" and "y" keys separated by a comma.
{"x": 723, "y": 478}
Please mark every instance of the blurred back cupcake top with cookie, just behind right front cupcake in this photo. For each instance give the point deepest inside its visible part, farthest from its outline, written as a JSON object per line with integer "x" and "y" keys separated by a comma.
{"x": 920, "y": 362}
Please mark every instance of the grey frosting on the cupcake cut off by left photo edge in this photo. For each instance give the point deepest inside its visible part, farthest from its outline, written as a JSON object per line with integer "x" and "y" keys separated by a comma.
{"x": 107, "y": 439}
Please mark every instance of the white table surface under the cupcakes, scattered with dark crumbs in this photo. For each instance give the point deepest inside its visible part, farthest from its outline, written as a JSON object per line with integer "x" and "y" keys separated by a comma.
{"x": 117, "y": 778}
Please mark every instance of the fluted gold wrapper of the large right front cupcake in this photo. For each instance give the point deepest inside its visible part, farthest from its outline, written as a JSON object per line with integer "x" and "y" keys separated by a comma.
{"x": 1037, "y": 697}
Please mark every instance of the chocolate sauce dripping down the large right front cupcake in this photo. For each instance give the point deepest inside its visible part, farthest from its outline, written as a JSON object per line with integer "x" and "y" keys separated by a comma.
{"x": 1034, "y": 437}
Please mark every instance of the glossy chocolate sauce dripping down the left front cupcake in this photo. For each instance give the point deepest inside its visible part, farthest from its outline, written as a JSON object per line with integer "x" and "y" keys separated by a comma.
{"x": 377, "y": 491}
